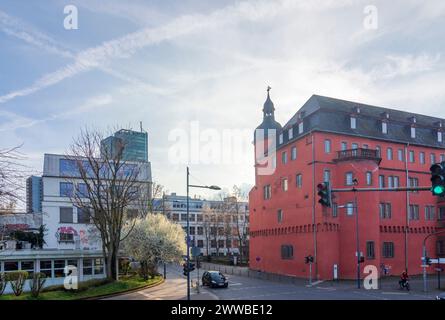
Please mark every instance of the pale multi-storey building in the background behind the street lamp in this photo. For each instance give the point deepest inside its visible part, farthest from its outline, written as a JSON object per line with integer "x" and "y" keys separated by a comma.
{"x": 218, "y": 228}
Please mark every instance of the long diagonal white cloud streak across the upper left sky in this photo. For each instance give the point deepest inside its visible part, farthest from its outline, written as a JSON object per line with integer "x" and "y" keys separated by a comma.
{"x": 127, "y": 45}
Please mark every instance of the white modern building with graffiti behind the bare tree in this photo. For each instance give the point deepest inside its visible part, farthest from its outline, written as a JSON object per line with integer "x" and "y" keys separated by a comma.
{"x": 70, "y": 238}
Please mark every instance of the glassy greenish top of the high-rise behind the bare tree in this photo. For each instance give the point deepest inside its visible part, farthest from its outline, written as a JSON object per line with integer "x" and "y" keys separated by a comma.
{"x": 134, "y": 143}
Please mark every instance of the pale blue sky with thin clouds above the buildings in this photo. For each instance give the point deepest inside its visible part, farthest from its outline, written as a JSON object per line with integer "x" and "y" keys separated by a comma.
{"x": 171, "y": 63}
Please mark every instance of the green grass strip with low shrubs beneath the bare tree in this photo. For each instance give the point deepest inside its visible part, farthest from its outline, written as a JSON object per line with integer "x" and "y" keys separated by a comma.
{"x": 88, "y": 290}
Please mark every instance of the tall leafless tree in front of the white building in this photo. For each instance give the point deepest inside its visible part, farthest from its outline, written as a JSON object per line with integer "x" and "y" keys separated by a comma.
{"x": 107, "y": 188}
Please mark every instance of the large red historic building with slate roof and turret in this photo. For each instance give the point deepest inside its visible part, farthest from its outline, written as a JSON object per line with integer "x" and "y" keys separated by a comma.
{"x": 340, "y": 141}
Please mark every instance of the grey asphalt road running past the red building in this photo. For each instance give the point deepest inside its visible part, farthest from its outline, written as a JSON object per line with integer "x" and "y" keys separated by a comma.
{"x": 244, "y": 288}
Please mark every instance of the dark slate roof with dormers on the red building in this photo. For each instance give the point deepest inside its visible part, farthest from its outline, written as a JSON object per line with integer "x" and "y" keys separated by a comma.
{"x": 327, "y": 114}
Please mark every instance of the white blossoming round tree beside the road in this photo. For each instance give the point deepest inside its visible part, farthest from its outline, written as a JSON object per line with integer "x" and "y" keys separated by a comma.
{"x": 155, "y": 239}
